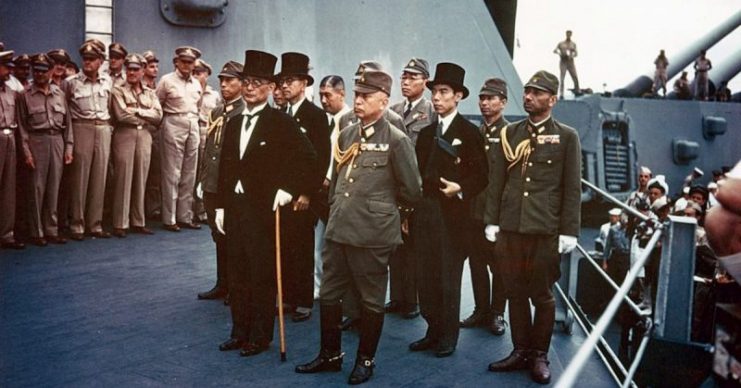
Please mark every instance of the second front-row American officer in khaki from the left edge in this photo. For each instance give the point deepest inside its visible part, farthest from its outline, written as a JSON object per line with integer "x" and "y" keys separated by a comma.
{"x": 47, "y": 148}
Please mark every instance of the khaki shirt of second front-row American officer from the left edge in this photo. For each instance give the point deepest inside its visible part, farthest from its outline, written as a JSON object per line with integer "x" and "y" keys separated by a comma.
{"x": 40, "y": 111}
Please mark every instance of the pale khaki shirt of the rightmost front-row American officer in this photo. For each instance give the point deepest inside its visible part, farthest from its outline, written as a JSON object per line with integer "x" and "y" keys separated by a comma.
{"x": 179, "y": 95}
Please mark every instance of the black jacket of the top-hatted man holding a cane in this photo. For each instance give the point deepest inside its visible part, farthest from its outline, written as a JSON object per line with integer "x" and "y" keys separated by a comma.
{"x": 278, "y": 156}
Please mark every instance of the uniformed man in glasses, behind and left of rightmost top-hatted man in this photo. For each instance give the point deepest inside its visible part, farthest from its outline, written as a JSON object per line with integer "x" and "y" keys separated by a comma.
{"x": 417, "y": 113}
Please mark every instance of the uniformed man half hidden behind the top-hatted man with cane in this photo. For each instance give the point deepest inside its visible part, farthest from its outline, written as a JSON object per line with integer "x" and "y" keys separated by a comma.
{"x": 230, "y": 107}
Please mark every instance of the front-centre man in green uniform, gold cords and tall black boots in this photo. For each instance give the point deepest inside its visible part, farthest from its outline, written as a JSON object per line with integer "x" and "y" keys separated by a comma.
{"x": 375, "y": 173}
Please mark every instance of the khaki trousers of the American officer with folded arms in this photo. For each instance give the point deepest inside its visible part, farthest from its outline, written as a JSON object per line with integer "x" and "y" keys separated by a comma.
{"x": 131, "y": 149}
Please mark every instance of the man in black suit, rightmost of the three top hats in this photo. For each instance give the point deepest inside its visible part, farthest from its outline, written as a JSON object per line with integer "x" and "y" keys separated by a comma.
{"x": 453, "y": 165}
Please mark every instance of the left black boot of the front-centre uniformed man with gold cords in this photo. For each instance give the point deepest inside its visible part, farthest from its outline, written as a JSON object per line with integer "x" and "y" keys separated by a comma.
{"x": 330, "y": 357}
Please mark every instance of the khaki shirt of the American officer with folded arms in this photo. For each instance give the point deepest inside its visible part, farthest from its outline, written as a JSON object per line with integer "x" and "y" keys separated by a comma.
{"x": 136, "y": 109}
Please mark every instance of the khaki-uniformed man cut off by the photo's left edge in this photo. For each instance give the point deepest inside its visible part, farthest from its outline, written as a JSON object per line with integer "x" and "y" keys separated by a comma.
{"x": 8, "y": 126}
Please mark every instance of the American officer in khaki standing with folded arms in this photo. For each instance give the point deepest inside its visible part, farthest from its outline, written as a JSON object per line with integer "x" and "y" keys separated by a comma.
{"x": 138, "y": 113}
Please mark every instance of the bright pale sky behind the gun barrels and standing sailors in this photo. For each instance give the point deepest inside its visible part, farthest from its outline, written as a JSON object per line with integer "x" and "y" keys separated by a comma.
{"x": 618, "y": 40}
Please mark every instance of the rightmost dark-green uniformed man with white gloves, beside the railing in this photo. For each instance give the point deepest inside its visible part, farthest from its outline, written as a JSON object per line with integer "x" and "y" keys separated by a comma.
{"x": 533, "y": 207}
